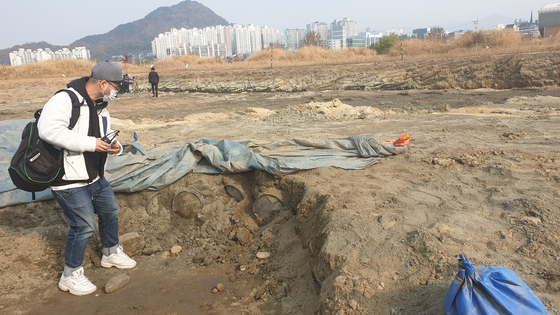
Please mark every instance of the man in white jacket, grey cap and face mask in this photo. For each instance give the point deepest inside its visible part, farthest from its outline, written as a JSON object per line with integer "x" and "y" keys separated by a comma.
{"x": 83, "y": 191}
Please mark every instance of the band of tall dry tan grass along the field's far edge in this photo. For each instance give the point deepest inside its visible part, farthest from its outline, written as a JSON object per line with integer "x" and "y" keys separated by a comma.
{"x": 470, "y": 43}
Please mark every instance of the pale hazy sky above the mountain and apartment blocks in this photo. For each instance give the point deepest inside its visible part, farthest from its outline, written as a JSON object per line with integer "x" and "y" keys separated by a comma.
{"x": 60, "y": 22}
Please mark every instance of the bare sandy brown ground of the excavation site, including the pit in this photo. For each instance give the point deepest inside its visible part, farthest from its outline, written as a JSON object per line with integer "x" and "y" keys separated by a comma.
{"x": 481, "y": 178}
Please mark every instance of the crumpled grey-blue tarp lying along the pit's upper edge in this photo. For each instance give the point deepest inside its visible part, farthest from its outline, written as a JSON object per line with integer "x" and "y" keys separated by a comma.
{"x": 138, "y": 170}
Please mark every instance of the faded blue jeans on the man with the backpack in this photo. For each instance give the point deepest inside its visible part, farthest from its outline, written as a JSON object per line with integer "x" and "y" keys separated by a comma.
{"x": 79, "y": 206}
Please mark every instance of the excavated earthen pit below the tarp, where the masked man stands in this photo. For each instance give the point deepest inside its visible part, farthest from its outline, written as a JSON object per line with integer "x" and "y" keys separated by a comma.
{"x": 253, "y": 232}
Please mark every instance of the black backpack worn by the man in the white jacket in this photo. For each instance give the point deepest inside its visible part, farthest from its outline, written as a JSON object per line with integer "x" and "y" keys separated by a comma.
{"x": 37, "y": 163}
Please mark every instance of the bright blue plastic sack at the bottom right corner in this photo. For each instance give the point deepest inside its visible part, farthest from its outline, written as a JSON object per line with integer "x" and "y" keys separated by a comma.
{"x": 489, "y": 290}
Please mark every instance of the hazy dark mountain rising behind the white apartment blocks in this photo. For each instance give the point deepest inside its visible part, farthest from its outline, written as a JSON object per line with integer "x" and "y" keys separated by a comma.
{"x": 136, "y": 37}
